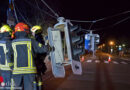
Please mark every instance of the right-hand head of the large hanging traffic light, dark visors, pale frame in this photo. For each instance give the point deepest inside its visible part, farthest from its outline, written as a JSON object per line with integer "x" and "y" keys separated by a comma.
{"x": 74, "y": 41}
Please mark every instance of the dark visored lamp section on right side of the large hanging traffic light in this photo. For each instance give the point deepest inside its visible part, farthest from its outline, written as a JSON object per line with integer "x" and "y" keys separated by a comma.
{"x": 76, "y": 40}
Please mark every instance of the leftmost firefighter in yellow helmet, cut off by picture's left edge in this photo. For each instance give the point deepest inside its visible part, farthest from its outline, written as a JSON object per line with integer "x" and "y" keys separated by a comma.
{"x": 5, "y": 55}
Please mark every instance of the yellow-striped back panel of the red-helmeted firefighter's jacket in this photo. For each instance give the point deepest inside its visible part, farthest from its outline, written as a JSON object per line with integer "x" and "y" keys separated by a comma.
{"x": 23, "y": 60}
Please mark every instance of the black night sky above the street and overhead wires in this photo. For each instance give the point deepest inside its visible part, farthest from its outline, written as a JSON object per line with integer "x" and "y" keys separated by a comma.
{"x": 89, "y": 10}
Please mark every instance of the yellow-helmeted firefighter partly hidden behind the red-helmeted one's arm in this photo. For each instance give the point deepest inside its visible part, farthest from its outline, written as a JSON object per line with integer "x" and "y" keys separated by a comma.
{"x": 41, "y": 67}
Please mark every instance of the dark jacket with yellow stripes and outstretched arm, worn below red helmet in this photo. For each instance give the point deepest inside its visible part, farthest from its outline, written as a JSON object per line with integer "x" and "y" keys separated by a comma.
{"x": 24, "y": 50}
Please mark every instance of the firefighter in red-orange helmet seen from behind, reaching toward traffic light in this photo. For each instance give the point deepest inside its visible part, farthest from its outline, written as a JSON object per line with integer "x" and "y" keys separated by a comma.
{"x": 24, "y": 70}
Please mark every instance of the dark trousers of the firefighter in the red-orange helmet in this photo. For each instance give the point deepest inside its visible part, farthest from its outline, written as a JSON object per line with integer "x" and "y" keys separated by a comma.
{"x": 25, "y": 81}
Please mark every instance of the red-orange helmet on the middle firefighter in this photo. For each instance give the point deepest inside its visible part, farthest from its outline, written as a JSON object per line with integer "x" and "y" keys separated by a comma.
{"x": 22, "y": 27}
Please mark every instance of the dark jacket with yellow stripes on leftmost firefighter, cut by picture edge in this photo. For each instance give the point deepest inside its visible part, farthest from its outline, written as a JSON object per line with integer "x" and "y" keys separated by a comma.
{"x": 6, "y": 58}
